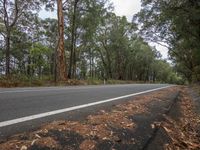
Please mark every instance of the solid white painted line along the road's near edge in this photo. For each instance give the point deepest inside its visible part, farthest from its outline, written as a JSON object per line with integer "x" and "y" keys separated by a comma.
{"x": 32, "y": 117}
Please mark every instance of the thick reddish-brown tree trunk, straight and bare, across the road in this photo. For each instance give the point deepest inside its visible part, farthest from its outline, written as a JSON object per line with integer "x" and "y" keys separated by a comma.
{"x": 61, "y": 65}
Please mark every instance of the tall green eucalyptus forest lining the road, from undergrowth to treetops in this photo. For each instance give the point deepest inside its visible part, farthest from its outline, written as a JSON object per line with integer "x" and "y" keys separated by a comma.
{"x": 88, "y": 41}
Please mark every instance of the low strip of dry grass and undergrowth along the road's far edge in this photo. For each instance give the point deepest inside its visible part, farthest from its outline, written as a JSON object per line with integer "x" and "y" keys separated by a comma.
{"x": 23, "y": 81}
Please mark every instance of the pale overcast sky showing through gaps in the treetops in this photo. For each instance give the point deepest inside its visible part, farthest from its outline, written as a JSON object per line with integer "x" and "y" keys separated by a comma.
{"x": 122, "y": 8}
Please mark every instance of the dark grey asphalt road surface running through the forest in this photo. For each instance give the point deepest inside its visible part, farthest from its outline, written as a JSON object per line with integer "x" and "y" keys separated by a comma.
{"x": 16, "y": 103}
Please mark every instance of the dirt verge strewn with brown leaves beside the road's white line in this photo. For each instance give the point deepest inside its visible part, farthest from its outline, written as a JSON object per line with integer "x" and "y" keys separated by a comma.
{"x": 129, "y": 125}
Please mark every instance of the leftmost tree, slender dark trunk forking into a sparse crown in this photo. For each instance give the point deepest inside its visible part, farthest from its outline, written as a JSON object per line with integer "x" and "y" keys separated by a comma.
{"x": 11, "y": 12}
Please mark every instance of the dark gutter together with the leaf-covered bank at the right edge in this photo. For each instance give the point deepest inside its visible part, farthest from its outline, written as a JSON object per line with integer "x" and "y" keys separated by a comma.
{"x": 180, "y": 128}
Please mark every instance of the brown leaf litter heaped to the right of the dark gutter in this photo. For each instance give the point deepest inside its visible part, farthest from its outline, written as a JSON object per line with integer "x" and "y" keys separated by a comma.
{"x": 184, "y": 131}
